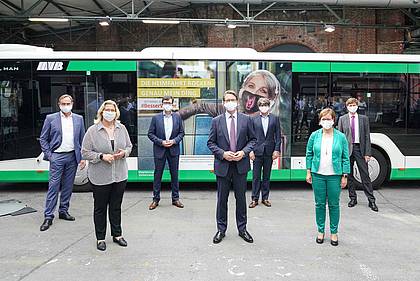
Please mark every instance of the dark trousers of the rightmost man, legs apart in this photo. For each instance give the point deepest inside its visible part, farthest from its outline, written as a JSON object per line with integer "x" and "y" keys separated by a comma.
{"x": 357, "y": 157}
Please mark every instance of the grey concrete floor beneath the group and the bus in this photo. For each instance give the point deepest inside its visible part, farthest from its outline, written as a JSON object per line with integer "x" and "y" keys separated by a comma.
{"x": 176, "y": 244}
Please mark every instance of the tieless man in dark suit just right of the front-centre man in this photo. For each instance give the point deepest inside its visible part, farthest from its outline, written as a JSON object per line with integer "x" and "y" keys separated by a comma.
{"x": 267, "y": 130}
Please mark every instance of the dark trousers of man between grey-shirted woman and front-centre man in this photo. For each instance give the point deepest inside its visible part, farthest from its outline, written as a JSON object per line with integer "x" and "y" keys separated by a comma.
{"x": 173, "y": 163}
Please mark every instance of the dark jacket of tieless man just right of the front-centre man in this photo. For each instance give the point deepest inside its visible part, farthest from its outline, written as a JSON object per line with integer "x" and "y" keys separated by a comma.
{"x": 267, "y": 144}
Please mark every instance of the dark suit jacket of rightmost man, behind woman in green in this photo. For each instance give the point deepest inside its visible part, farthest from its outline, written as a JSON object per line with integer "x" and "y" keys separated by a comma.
{"x": 364, "y": 133}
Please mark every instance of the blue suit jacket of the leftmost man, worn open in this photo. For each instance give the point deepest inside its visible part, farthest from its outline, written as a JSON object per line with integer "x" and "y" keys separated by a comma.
{"x": 52, "y": 134}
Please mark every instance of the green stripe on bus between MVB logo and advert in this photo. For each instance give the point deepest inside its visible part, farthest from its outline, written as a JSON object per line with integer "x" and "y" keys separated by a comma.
{"x": 101, "y": 65}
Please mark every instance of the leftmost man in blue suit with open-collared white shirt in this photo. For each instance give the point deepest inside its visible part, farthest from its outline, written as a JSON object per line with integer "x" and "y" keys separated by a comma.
{"x": 61, "y": 140}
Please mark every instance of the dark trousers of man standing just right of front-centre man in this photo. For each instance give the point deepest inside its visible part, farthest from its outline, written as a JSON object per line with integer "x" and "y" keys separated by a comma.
{"x": 265, "y": 163}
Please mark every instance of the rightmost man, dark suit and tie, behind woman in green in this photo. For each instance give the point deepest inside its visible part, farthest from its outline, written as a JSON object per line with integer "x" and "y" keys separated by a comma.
{"x": 356, "y": 128}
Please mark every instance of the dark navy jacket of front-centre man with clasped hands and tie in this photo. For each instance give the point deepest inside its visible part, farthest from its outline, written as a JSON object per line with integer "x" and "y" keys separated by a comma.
{"x": 218, "y": 143}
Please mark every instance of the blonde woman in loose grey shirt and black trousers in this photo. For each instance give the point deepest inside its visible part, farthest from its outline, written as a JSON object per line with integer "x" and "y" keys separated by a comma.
{"x": 106, "y": 146}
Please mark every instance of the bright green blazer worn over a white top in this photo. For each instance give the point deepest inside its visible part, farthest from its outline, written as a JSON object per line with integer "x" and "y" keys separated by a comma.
{"x": 340, "y": 152}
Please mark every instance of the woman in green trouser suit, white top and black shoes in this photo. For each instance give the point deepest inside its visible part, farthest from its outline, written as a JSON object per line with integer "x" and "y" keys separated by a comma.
{"x": 327, "y": 164}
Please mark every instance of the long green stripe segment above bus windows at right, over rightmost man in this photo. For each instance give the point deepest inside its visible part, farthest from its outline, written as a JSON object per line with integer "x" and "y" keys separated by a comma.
{"x": 368, "y": 67}
